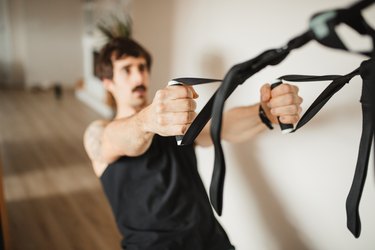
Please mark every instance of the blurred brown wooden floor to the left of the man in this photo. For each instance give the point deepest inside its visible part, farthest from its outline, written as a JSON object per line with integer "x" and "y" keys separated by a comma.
{"x": 53, "y": 199}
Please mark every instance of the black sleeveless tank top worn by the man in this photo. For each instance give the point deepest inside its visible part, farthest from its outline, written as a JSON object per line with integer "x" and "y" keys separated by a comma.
{"x": 159, "y": 200}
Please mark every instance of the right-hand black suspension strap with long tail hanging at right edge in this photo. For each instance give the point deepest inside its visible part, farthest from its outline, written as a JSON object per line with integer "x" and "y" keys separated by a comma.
{"x": 367, "y": 72}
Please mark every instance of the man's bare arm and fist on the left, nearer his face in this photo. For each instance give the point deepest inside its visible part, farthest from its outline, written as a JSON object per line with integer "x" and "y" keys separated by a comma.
{"x": 170, "y": 113}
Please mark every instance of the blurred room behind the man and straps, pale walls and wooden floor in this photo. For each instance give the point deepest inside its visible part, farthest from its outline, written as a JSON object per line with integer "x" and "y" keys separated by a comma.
{"x": 282, "y": 192}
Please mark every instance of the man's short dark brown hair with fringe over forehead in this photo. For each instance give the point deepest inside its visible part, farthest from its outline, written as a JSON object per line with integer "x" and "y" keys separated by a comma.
{"x": 119, "y": 48}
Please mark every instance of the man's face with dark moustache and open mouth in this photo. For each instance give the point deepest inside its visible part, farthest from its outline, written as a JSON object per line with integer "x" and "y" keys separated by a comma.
{"x": 131, "y": 79}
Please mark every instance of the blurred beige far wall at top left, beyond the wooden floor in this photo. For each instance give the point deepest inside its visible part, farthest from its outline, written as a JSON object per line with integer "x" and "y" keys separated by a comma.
{"x": 46, "y": 42}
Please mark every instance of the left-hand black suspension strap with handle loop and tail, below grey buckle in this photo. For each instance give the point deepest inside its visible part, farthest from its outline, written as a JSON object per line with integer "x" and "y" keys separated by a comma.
{"x": 236, "y": 76}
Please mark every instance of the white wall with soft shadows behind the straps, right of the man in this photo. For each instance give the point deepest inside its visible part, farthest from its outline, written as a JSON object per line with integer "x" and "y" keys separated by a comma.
{"x": 282, "y": 191}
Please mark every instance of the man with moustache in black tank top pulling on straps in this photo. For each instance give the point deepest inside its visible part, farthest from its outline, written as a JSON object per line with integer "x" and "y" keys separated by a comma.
{"x": 153, "y": 185}
